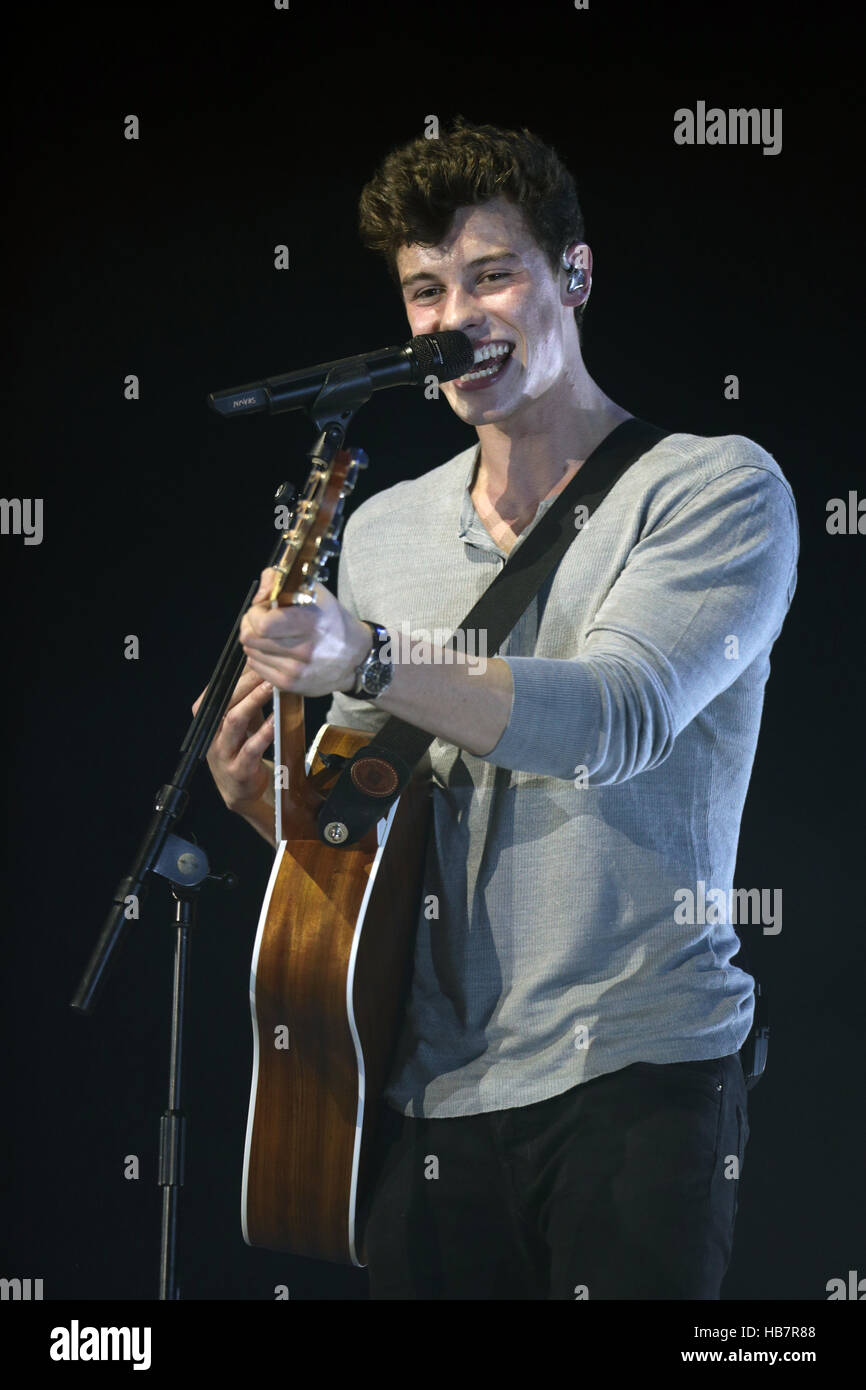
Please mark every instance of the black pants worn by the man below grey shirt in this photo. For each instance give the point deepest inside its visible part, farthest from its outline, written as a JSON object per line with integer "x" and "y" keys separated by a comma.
{"x": 623, "y": 1188}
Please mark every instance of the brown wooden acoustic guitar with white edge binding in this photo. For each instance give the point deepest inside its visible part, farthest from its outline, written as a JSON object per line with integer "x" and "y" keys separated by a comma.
{"x": 333, "y": 956}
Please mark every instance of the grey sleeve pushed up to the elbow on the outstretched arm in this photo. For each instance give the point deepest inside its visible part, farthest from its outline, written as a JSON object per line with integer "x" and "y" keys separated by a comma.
{"x": 700, "y": 598}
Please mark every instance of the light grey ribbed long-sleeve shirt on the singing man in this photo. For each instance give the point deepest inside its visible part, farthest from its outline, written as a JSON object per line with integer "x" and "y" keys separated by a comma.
{"x": 578, "y": 911}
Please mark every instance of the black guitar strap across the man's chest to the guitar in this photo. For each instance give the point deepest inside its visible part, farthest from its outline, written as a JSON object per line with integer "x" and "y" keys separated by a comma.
{"x": 376, "y": 776}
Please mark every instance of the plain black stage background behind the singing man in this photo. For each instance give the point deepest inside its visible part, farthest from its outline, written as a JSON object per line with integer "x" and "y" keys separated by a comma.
{"x": 156, "y": 258}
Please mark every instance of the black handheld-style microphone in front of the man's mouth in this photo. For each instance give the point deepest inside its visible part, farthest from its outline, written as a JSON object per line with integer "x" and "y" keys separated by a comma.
{"x": 446, "y": 357}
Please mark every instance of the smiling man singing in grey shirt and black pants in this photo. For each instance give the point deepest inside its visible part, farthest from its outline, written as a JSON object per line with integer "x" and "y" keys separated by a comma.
{"x": 571, "y": 1052}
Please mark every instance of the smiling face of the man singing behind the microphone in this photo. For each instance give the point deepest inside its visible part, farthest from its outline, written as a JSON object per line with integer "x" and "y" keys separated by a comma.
{"x": 493, "y": 281}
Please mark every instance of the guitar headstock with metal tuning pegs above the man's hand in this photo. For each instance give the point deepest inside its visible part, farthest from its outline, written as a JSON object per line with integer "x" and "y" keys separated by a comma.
{"x": 312, "y": 539}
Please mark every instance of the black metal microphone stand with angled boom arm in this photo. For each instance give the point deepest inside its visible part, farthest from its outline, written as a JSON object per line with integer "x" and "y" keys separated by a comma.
{"x": 183, "y": 862}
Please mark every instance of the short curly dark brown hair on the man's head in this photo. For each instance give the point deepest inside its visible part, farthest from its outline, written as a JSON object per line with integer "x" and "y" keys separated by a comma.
{"x": 419, "y": 187}
